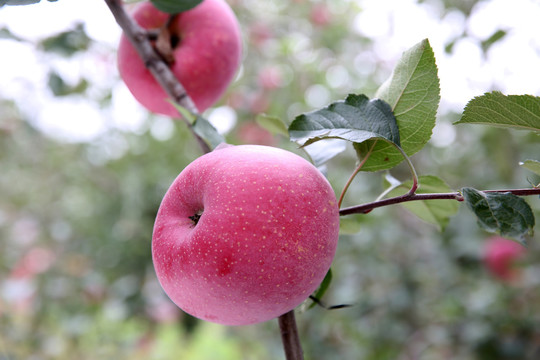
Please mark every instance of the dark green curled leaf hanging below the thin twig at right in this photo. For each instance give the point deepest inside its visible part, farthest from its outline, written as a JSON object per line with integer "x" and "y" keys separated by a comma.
{"x": 505, "y": 213}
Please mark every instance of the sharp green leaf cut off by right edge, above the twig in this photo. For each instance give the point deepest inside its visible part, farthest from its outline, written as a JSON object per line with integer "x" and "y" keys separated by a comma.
{"x": 497, "y": 109}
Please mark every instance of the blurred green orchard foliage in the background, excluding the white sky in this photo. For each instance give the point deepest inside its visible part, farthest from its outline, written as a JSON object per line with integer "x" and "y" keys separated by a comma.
{"x": 76, "y": 278}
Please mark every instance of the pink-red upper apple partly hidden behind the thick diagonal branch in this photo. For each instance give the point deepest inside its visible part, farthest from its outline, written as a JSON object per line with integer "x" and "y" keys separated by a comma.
{"x": 207, "y": 56}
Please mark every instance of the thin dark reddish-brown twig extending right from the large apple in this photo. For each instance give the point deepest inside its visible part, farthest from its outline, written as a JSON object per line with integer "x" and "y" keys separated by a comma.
{"x": 366, "y": 208}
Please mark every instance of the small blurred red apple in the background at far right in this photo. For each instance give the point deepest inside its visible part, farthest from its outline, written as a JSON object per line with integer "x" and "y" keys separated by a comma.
{"x": 500, "y": 256}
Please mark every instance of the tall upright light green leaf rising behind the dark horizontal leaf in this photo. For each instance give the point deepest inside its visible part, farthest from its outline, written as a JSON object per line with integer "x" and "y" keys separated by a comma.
{"x": 413, "y": 93}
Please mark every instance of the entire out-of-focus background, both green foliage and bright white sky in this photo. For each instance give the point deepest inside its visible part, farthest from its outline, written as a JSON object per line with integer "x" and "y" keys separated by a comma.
{"x": 77, "y": 207}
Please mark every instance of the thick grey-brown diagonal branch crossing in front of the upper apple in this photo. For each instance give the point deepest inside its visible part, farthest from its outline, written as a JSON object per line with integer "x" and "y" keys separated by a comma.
{"x": 140, "y": 39}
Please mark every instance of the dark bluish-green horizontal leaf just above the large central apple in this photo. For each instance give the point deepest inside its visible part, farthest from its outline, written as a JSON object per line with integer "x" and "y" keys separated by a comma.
{"x": 356, "y": 119}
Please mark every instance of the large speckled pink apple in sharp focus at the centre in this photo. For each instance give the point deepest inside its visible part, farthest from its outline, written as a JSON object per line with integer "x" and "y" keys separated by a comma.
{"x": 265, "y": 239}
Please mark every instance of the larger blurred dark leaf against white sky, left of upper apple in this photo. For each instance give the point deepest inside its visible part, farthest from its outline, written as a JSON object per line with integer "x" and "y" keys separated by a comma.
{"x": 67, "y": 43}
